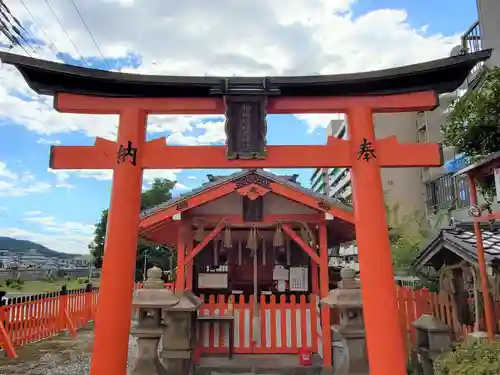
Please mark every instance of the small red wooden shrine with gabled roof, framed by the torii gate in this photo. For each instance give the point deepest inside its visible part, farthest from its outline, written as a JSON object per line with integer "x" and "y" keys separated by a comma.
{"x": 258, "y": 242}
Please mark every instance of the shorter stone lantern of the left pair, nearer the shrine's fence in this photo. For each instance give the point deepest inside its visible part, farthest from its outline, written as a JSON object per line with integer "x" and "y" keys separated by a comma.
{"x": 179, "y": 337}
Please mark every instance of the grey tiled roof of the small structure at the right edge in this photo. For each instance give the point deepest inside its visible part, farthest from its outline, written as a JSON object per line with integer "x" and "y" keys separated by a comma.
{"x": 461, "y": 240}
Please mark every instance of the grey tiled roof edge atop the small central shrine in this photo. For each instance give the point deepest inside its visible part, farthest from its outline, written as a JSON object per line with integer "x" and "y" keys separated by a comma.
{"x": 220, "y": 180}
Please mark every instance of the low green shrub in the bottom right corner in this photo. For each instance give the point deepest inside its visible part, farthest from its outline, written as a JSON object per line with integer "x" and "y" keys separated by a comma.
{"x": 470, "y": 358}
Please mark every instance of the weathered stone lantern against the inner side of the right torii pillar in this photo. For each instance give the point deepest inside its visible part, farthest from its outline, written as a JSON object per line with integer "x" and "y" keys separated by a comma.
{"x": 351, "y": 330}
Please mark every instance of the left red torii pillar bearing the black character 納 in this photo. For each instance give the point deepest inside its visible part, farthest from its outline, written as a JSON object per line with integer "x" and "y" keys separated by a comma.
{"x": 110, "y": 347}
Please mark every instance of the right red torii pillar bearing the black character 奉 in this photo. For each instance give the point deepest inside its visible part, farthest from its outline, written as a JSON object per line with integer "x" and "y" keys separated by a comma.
{"x": 374, "y": 251}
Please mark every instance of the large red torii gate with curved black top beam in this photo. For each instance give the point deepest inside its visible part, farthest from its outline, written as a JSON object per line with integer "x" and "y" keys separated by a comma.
{"x": 133, "y": 97}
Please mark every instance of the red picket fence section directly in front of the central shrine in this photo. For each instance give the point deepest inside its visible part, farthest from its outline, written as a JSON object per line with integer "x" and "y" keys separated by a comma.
{"x": 282, "y": 327}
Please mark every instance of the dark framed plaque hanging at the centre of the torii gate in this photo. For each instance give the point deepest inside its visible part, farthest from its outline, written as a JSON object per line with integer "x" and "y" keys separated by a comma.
{"x": 246, "y": 126}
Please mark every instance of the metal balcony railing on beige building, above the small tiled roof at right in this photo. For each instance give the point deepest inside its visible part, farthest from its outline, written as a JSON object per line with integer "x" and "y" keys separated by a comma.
{"x": 447, "y": 192}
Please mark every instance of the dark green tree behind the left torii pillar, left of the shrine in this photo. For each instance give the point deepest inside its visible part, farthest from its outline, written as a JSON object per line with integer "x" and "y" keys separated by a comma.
{"x": 159, "y": 192}
